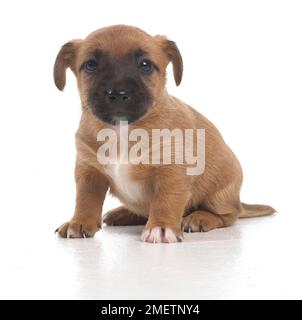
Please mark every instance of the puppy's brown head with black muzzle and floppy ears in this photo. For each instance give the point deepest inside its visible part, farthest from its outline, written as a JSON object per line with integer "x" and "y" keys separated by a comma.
{"x": 120, "y": 70}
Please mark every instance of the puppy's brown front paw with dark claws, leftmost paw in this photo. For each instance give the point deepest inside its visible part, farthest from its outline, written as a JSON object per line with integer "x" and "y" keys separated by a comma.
{"x": 77, "y": 229}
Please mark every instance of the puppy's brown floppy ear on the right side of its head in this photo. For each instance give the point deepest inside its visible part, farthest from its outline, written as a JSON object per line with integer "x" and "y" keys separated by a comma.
{"x": 174, "y": 56}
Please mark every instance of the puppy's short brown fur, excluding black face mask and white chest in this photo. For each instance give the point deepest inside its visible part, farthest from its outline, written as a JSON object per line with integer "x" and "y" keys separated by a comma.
{"x": 173, "y": 199}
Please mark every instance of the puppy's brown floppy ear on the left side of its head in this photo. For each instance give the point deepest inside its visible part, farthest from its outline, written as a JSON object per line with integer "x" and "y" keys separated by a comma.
{"x": 65, "y": 59}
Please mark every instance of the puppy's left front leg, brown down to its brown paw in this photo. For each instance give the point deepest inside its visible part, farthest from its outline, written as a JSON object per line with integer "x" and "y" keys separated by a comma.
{"x": 91, "y": 191}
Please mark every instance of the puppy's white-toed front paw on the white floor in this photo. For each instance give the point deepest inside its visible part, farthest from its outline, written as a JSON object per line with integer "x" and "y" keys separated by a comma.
{"x": 160, "y": 235}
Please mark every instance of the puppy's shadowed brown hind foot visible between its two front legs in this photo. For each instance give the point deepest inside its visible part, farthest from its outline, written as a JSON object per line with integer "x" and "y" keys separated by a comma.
{"x": 121, "y": 216}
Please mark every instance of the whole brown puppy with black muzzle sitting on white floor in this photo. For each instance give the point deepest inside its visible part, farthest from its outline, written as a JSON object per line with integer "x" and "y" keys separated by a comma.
{"x": 121, "y": 75}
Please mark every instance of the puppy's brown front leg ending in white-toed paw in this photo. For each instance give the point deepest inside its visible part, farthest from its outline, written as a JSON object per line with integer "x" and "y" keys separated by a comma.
{"x": 166, "y": 209}
